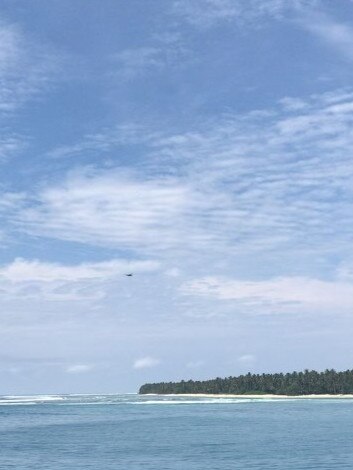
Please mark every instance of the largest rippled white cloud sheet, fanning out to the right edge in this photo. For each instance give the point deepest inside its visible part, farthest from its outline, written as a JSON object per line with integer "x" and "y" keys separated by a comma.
{"x": 270, "y": 179}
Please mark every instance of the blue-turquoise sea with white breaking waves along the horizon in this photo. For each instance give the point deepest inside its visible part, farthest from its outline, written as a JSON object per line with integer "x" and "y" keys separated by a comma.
{"x": 168, "y": 433}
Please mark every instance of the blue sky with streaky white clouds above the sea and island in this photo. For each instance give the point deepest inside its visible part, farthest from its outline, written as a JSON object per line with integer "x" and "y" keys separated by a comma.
{"x": 204, "y": 146}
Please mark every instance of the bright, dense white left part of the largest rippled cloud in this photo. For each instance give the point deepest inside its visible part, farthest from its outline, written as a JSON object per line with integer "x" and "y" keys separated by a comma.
{"x": 121, "y": 210}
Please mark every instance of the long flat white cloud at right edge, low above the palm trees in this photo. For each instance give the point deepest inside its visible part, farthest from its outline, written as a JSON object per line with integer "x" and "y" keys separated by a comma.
{"x": 278, "y": 295}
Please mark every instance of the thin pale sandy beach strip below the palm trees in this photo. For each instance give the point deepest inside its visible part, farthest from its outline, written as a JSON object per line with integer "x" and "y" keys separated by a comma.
{"x": 266, "y": 396}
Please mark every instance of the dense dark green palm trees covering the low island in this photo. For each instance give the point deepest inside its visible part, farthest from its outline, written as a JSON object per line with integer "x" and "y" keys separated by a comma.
{"x": 295, "y": 383}
